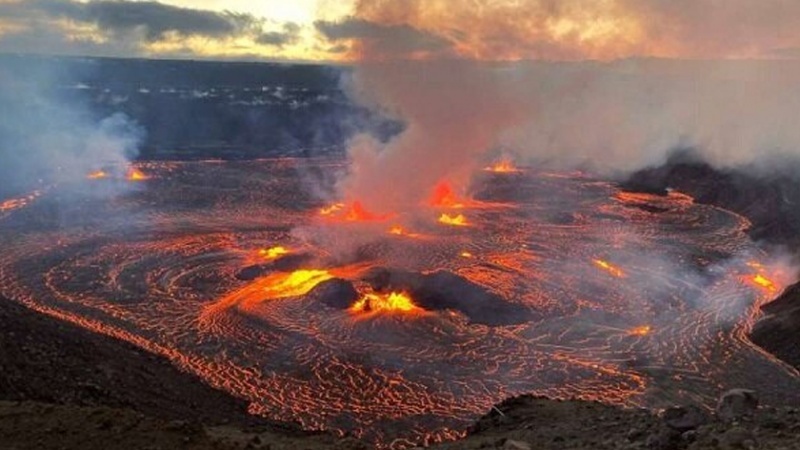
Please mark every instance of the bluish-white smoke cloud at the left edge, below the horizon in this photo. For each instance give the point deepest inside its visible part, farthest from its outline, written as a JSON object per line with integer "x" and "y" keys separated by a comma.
{"x": 49, "y": 135}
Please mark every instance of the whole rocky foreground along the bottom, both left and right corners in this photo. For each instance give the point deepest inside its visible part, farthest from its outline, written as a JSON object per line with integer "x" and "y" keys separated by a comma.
{"x": 63, "y": 387}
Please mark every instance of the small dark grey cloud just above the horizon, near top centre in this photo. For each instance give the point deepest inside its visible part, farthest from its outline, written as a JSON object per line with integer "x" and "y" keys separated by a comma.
{"x": 386, "y": 40}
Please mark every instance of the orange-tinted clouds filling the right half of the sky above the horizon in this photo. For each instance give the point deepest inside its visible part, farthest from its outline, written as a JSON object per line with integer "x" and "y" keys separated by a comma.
{"x": 595, "y": 29}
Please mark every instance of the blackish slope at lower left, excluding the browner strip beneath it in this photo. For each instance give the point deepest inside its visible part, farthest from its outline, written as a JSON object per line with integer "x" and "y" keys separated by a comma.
{"x": 45, "y": 359}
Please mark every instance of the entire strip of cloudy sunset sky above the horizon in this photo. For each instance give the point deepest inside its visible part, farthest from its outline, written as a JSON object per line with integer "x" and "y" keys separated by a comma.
{"x": 349, "y": 30}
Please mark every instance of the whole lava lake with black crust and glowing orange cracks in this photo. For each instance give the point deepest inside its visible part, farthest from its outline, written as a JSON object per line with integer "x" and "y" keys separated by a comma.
{"x": 403, "y": 329}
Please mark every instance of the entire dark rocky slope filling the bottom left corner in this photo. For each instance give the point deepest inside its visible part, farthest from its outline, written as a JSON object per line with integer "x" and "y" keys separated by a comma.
{"x": 64, "y": 387}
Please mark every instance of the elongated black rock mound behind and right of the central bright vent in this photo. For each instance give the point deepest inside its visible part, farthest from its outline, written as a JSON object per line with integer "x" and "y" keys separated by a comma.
{"x": 443, "y": 290}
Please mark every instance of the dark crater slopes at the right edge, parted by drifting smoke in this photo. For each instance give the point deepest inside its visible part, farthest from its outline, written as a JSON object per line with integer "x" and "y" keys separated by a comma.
{"x": 770, "y": 201}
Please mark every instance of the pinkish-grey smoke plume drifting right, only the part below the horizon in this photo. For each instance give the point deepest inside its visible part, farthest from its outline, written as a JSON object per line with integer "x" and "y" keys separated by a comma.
{"x": 608, "y": 117}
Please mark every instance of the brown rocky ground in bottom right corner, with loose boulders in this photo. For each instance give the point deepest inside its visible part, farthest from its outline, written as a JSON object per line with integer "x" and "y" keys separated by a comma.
{"x": 527, "y": 422}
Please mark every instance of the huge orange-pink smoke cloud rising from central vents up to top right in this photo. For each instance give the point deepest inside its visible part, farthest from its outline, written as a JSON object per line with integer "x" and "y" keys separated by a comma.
{"x": 526, "y": 77}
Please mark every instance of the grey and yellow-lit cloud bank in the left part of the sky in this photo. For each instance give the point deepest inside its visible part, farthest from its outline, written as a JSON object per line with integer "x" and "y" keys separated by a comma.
{"x": 146, "y": 28}
